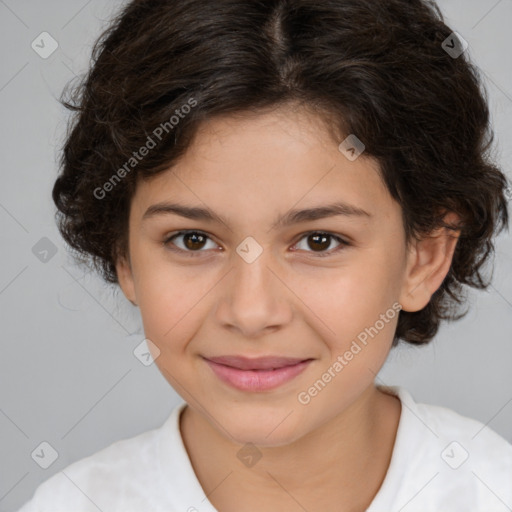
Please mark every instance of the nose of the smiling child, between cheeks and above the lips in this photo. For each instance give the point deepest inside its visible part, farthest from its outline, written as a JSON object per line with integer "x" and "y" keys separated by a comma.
{"x": 254, "y": 298}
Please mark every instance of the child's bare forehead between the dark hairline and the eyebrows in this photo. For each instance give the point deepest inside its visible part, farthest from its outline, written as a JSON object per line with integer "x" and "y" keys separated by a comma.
{"x": 271, "y": 161}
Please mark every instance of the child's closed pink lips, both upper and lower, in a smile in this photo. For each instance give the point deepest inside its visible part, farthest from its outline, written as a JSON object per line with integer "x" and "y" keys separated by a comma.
{"x": 257, "y": 374}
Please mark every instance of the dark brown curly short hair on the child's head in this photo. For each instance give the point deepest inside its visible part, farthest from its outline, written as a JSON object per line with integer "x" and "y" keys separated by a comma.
{"x": 380, "y": 70}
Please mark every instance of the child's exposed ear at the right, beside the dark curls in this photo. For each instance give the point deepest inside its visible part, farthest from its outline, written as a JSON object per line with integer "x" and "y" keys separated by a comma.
{"x": 428, "y": 262}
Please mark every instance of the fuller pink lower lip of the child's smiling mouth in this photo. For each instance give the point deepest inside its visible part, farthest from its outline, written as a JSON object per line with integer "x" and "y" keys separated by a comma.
{"x": 257, "y": 380}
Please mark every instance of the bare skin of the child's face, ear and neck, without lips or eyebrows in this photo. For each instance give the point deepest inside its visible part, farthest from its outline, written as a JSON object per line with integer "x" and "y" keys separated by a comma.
{"x": 332, "y": 453}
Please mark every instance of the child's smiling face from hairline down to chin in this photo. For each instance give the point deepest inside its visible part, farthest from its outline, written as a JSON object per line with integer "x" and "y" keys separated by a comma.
{"x": 269, "y": 273}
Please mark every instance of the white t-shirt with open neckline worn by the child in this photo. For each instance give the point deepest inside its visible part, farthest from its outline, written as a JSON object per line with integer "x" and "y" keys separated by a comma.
{"x": 441, "y": 461}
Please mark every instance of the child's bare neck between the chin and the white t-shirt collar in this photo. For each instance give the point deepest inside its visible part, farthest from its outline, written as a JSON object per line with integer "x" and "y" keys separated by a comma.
{"x": 346, "y": 458}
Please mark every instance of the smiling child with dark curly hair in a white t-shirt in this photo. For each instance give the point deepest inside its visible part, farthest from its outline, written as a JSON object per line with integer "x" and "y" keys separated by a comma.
{"x": 286, "y": 189}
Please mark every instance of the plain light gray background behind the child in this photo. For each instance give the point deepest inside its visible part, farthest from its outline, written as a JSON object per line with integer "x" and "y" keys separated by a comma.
{"x": 68, "y": 374}
